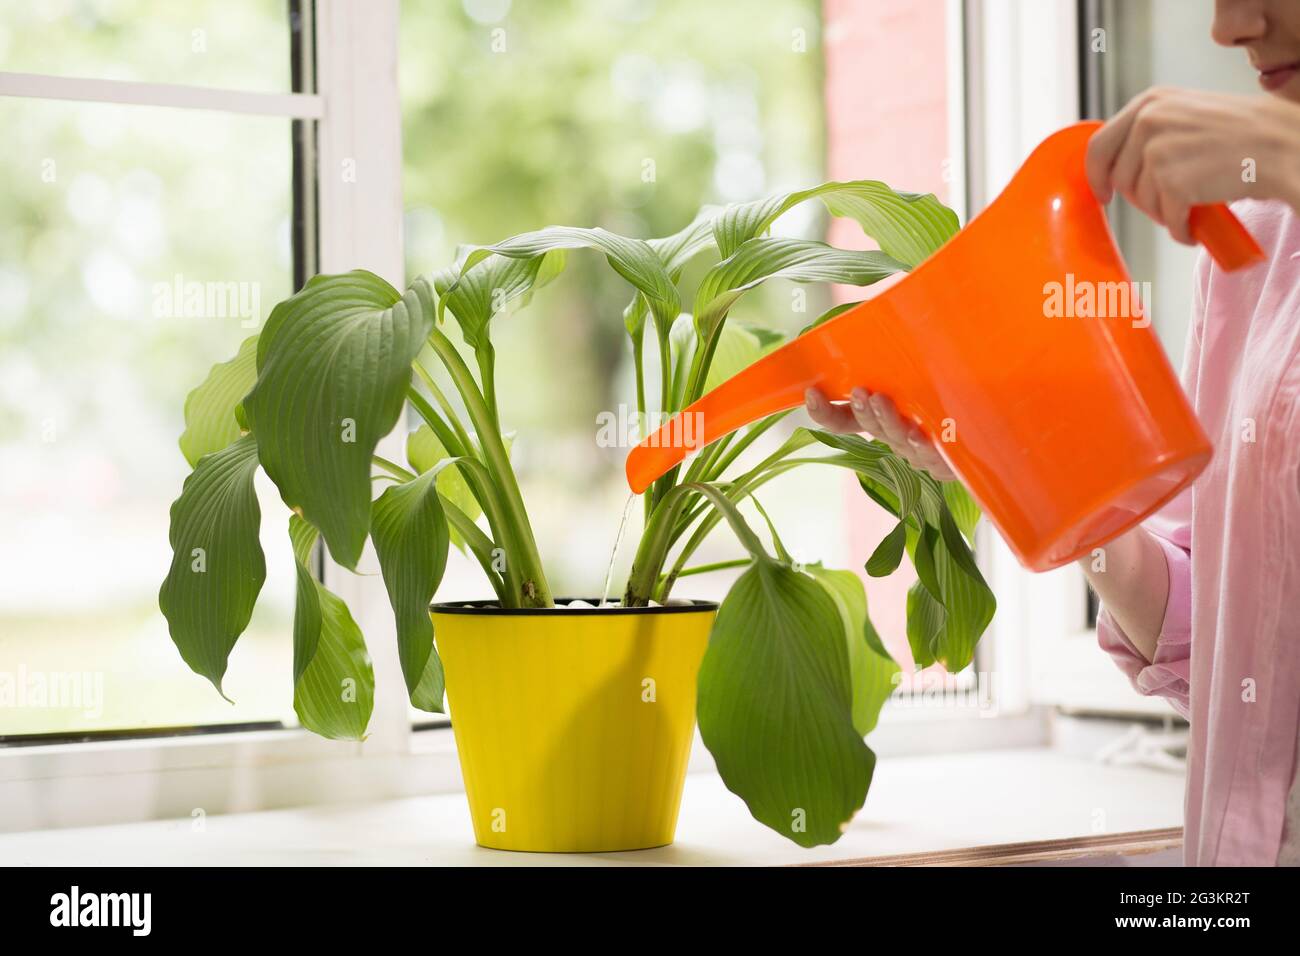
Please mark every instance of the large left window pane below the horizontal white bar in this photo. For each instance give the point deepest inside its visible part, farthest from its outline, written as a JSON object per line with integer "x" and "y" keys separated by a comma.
{"x": 109, "y": 211}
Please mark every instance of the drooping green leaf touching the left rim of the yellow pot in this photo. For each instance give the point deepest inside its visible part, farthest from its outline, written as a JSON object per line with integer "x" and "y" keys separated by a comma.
{"x": 411, "y": 538}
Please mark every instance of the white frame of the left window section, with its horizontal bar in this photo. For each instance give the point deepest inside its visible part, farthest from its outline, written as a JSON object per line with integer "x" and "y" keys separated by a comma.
{"x": 358, "y": 122}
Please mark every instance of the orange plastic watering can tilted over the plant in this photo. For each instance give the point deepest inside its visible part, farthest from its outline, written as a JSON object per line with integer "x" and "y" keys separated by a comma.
{"x": 1022, "y": 349}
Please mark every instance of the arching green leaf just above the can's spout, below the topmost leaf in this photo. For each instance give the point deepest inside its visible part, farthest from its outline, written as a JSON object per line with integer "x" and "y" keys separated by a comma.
{"x": 801, "y": 261}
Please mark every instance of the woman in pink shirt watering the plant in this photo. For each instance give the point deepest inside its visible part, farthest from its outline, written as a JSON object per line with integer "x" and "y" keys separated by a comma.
{"x": 1202, "y": 604}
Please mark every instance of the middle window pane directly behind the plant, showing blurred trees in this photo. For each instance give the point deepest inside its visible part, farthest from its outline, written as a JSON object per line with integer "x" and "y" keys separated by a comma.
{"x": 630, "y": 116}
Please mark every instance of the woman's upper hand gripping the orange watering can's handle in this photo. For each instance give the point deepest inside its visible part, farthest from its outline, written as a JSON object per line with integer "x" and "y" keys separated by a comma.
{"x": 1171, "y": 150}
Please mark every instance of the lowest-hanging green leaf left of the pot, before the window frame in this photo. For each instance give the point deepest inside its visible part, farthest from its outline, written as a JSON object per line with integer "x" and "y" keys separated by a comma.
{"x": 333, "y": 678}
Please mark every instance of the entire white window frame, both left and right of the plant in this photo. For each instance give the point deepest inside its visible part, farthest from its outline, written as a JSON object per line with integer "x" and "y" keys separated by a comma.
{"x": 358, "y": 115}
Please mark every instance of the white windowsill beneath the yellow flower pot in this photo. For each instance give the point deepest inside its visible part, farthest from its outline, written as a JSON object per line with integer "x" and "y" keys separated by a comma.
{"x": 917, "y": 804}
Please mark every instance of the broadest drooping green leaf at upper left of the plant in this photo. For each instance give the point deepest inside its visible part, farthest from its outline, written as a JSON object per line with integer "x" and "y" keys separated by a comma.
{"x": 333, "y": 369}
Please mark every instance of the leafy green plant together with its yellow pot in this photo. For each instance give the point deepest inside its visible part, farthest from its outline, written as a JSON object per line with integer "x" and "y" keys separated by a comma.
{"x": 574, "y": 724}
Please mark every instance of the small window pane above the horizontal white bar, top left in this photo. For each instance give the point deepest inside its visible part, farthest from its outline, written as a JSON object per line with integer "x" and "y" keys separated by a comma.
{"x": 242, "y": 46}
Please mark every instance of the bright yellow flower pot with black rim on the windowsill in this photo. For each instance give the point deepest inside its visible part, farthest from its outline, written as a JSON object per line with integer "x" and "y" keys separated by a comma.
{"x": 574, "y": 726}
